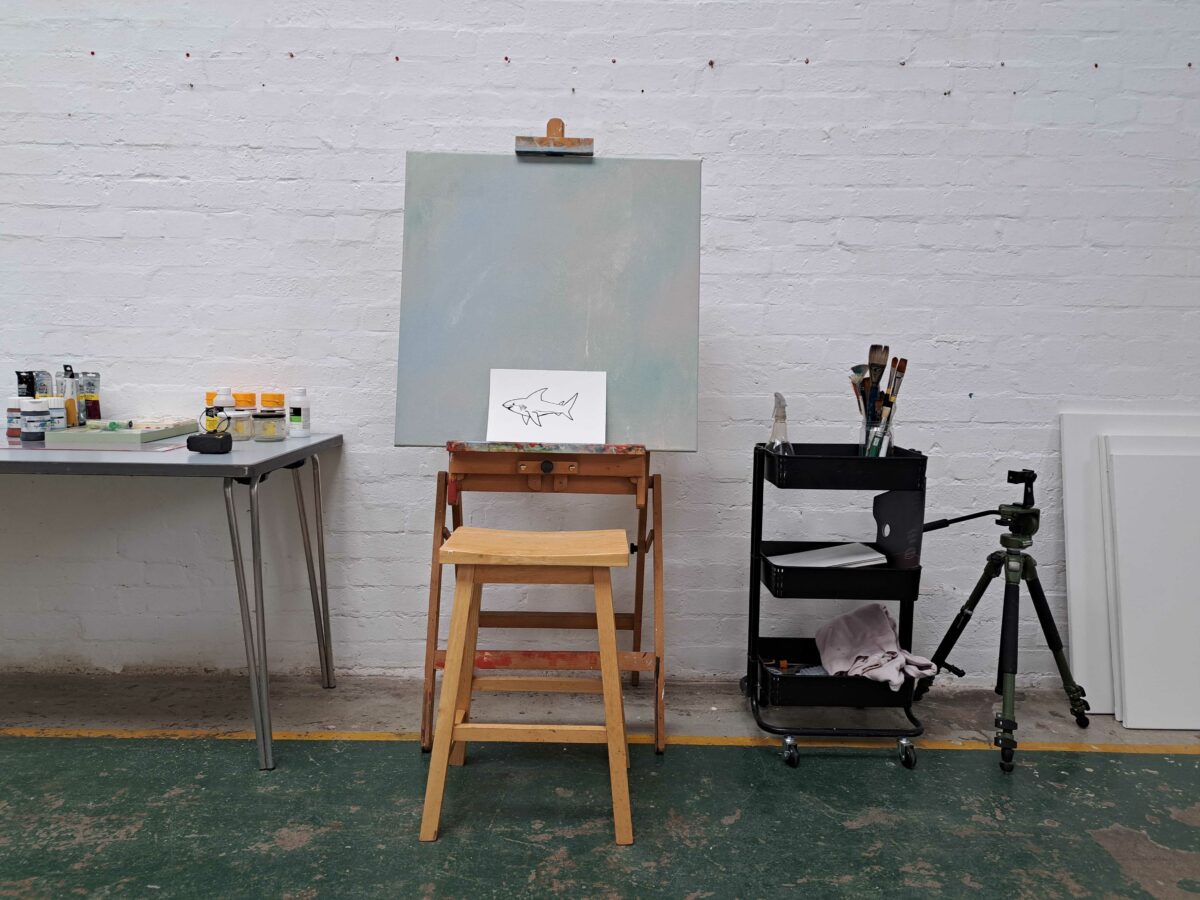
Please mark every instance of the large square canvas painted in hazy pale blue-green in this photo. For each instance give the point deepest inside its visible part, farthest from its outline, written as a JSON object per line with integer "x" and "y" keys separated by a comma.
{"x": 550, "y": 263}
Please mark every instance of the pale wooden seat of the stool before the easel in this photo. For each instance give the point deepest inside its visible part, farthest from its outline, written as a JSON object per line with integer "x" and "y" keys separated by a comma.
{"x": 493, "y": 547}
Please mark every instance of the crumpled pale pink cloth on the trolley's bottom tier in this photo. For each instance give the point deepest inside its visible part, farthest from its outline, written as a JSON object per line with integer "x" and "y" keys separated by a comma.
{"x": 863, "y": 643}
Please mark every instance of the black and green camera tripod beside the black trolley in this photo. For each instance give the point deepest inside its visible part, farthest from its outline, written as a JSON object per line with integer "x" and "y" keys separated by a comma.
{"x": 1023, "y": 521}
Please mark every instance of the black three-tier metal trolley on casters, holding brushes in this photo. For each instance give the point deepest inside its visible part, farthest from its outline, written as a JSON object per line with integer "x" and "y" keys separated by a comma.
{"x": 772, "y": 679}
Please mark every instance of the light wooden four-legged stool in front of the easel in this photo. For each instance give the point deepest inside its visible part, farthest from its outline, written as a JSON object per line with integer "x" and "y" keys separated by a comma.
{"x": 487, "y": 556}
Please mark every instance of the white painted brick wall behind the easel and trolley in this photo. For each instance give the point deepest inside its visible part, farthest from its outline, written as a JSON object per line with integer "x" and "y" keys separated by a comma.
{"x": 208, "y": 194}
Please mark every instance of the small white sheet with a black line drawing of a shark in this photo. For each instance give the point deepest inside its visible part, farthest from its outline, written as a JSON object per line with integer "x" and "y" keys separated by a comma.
{"x": 539, "y": 406}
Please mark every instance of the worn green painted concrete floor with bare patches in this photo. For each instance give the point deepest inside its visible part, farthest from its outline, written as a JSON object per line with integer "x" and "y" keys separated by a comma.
{"x": 147, "y": 818}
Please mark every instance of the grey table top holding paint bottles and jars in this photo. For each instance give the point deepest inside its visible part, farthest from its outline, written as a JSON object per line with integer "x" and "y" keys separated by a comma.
{"x": 248, "y": 459}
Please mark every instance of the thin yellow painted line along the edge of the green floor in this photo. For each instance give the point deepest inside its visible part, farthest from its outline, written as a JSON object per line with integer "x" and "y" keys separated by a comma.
{"x": 635, "y": 739}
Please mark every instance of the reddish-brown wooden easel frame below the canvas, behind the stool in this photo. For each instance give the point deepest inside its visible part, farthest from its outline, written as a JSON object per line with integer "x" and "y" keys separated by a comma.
{"x": 553, "y": 469}
